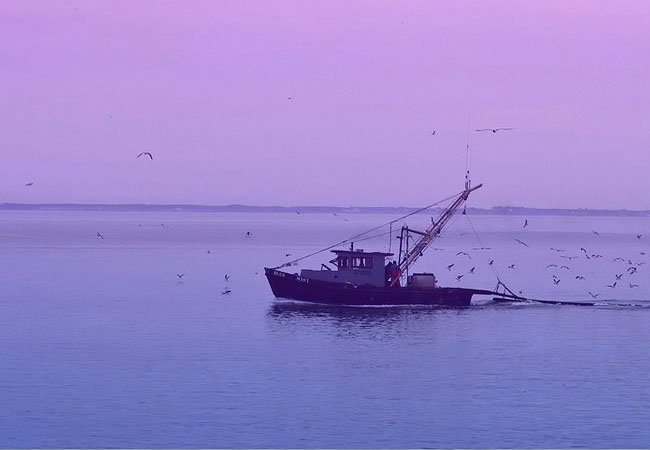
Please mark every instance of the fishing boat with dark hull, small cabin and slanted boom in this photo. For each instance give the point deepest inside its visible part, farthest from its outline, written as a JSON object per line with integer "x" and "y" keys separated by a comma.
{"x": 358, "y": 277}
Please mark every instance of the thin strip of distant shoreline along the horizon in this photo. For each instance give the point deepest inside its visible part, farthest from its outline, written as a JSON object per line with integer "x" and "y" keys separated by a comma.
{"x": 496, "y": 210}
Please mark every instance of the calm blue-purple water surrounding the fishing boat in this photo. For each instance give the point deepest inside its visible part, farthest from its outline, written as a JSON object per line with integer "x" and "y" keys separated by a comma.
{"x": 102, "y": 345}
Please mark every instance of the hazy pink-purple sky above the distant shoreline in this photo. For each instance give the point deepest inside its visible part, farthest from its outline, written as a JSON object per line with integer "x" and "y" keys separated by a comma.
{"x": 325, "y": 102}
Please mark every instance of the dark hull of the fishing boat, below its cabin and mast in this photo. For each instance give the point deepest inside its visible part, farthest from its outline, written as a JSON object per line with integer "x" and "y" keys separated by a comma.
{"x": 294, "y": 287}
